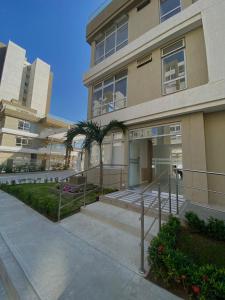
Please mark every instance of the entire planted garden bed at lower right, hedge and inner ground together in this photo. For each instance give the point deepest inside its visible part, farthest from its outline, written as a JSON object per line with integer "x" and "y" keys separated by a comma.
{"x": 187, "y": 261}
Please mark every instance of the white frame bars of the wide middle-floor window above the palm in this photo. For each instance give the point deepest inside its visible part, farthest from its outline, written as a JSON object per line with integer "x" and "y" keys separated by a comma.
{"x": 101, "y": 88}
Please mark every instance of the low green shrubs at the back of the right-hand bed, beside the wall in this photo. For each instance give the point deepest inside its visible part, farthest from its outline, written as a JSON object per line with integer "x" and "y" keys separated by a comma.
{"x": 214, "y": 228}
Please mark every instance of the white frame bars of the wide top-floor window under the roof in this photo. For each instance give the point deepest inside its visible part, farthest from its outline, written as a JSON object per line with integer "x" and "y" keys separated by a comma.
{"x": 116, "y": 48}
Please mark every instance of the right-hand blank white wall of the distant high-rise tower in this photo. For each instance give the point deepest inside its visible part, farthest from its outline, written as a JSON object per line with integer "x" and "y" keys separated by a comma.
{"x": 38, "y": 86}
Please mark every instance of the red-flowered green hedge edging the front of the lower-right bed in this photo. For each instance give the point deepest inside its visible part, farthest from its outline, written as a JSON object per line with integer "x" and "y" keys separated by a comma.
{"x": 172, "y": 266}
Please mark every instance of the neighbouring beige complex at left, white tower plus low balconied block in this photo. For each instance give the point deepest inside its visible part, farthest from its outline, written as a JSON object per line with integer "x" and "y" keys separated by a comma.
{"x": 27, "y": 131}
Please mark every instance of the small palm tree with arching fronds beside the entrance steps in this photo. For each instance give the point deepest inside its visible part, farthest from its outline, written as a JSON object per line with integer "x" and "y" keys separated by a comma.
{"x": 94, "y": 133}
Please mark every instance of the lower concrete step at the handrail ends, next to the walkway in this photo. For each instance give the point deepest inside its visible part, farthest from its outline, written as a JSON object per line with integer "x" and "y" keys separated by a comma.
{"x": 113, "y": 242}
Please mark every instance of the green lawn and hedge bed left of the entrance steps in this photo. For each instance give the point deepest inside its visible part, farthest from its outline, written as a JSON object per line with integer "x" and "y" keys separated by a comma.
{"x": 42, "y": 198}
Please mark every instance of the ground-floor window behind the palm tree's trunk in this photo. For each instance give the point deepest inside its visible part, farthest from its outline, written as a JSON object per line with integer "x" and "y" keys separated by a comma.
{"x": 112, "y": 151}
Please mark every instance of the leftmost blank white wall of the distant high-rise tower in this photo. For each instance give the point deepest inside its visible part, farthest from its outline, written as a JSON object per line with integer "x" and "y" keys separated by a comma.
{"x": 12, "y": 72}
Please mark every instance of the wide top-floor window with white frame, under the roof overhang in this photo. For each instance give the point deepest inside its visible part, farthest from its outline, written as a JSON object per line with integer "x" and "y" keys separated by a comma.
{"x": 113, "y": 40}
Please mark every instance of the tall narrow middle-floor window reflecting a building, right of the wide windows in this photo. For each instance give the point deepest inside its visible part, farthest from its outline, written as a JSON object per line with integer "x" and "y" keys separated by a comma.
{"x": 174, "y": 68}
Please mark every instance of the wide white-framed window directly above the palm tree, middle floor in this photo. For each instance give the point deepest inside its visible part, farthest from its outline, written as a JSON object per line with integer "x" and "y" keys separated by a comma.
{"x": 110, "y": 95}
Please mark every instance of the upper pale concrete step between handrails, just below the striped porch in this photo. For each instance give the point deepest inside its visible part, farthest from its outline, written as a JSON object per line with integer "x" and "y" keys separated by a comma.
{"x": 120, "y": 218}
